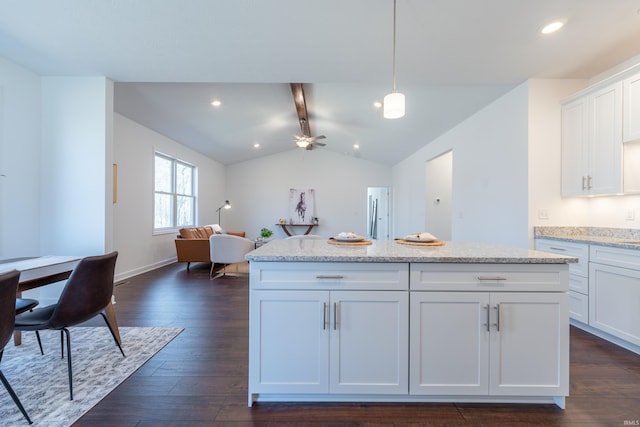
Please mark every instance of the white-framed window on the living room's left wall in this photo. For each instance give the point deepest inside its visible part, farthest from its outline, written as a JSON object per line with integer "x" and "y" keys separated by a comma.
{"x": 174, "y": 193}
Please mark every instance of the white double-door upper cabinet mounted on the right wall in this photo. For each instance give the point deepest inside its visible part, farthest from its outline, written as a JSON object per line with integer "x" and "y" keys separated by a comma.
{"x": 592, "y": 143}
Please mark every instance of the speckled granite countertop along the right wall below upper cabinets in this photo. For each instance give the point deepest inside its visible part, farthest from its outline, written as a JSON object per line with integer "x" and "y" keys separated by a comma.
{"x": 616, "y": 237}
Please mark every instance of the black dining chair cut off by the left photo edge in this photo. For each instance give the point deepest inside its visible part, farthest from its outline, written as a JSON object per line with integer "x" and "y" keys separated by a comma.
{"x": 8, "y": 289}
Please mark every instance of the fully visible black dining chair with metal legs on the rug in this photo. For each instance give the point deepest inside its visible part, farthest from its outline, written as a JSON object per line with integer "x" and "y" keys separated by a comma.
{"x": 86, "y": 294}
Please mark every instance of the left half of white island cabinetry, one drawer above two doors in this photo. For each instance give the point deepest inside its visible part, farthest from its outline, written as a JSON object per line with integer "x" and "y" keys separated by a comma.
{"x": 331, "y": 341}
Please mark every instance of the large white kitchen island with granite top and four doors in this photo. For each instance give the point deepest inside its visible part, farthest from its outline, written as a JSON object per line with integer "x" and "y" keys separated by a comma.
{"x": 387, "y": 322}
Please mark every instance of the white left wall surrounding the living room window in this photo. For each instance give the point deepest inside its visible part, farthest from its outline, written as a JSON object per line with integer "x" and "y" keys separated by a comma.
{"x": 139, "y": 249}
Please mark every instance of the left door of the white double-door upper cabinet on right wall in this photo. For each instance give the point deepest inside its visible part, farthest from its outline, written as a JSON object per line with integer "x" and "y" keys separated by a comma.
{"x": 574, "y": 143}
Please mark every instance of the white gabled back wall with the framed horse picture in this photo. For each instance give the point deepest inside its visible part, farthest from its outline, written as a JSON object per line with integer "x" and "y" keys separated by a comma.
{"x": 259, "y": 191}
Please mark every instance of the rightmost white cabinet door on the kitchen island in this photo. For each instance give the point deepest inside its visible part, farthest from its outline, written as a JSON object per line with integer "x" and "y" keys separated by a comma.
{"x": 530, "y": 346}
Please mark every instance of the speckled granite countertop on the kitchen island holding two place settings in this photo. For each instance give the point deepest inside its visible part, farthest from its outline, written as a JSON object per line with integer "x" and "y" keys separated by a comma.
{"x": 391, "y": 251}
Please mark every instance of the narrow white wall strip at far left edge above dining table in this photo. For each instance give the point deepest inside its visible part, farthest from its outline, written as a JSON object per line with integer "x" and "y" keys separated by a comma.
{"x": 19, "y": 161}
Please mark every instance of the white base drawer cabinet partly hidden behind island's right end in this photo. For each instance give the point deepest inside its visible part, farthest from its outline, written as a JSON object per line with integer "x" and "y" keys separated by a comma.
{"x": 578, "y": 277}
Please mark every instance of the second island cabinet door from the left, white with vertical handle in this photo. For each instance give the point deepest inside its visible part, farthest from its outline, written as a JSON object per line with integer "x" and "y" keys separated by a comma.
{"x": 369, "y": 342}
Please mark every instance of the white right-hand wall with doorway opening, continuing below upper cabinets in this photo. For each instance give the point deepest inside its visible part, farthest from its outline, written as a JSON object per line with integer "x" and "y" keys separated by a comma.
{"x": 506, "y": 175}
